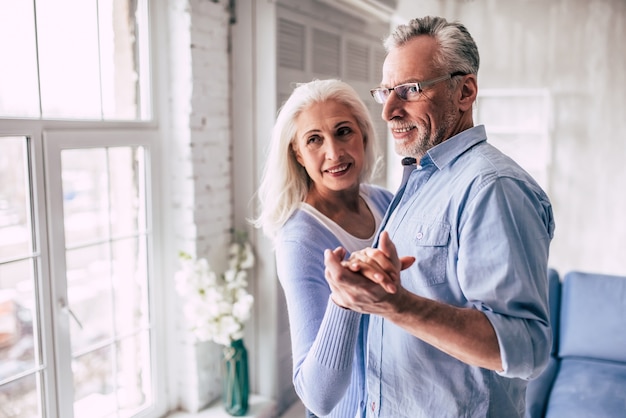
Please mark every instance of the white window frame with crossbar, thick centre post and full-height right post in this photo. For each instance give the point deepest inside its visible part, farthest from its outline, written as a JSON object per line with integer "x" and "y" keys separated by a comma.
{"x": 44, "y": 148}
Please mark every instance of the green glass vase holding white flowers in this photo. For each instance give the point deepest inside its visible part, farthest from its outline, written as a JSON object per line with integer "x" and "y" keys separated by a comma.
{"x": 235, "y": 384}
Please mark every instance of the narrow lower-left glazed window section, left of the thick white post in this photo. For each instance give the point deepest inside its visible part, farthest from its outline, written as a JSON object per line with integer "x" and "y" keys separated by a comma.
{"x": 20, "y": 361}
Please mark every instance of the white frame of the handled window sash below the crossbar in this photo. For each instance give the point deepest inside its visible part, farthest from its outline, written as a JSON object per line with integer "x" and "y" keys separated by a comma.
{"x": 55, "y": 141}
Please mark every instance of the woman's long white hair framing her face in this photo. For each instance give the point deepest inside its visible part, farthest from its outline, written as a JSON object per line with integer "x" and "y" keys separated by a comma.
{"x": 285, "y": 183}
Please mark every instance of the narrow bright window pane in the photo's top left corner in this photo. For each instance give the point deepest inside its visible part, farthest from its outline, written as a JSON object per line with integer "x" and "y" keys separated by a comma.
{"x": 19, "y": 89}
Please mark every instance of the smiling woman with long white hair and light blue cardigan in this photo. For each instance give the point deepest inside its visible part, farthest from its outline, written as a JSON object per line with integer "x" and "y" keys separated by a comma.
{"x": 315, "y": 195}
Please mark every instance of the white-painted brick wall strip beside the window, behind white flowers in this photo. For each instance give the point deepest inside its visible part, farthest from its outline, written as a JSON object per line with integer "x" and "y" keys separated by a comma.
{"x": 201, "y": 162}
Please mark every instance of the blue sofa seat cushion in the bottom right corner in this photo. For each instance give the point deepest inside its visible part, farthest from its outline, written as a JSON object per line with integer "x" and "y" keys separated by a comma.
{"x": 588, "y": 388}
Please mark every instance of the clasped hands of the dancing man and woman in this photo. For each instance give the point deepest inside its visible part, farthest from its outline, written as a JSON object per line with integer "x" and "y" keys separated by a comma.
{"x": 369, "y": 280}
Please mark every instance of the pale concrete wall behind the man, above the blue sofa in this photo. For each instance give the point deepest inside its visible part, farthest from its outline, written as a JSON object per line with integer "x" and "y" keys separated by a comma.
{"x": 575, "y": 49}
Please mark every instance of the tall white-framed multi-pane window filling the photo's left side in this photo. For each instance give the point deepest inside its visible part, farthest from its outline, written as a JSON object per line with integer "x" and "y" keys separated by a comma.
{"x": 77, "y": 153}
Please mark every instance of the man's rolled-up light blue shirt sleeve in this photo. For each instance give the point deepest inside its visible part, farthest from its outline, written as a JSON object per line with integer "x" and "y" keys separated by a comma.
{"x": 502, "y": 268}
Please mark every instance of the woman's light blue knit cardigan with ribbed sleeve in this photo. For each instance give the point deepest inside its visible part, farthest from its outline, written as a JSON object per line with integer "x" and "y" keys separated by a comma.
{"x": 328, "y": 342}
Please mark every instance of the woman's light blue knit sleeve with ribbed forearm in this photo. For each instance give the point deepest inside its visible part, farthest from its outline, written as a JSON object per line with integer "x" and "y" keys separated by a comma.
{"x": 323, "y": 335}
